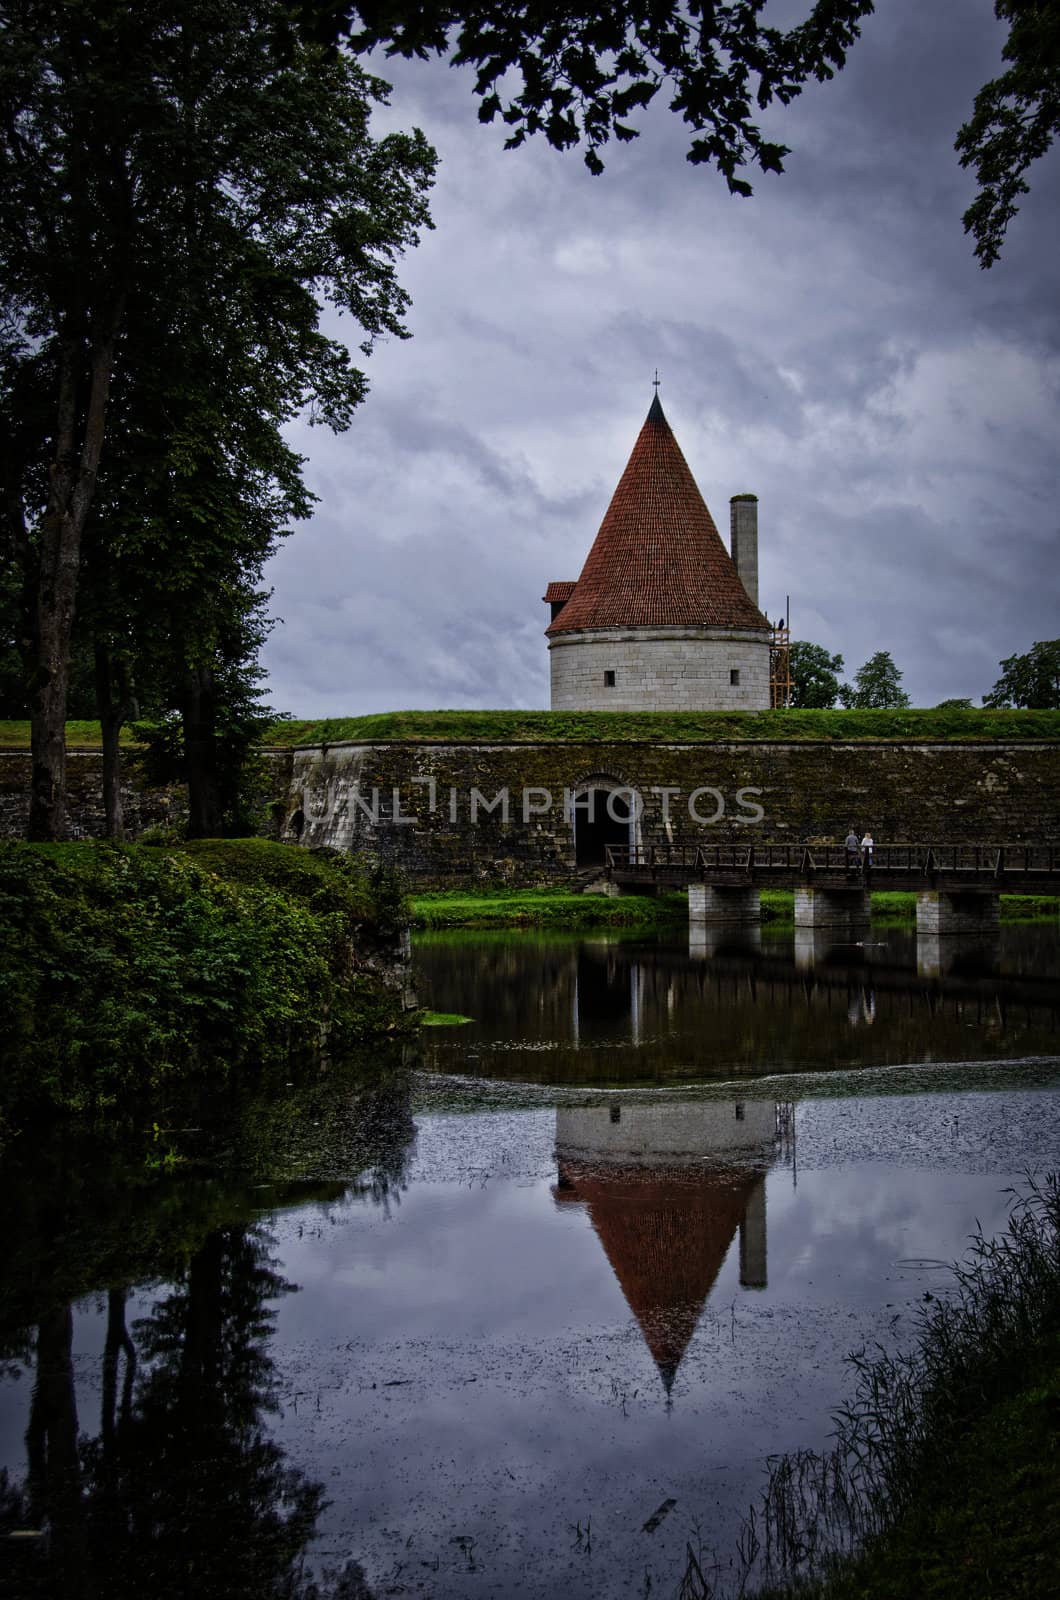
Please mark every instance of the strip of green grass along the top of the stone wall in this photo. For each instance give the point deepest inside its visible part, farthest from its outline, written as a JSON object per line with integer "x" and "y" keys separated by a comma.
{"x": 616, "y": 727}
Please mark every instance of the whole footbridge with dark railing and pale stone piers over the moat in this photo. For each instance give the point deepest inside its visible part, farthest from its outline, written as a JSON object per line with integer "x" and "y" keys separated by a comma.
{"x": 957, "y": 886}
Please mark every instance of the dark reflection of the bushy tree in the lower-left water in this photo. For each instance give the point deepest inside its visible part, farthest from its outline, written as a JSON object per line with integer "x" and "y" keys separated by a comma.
{"x": 204, "y": 1494}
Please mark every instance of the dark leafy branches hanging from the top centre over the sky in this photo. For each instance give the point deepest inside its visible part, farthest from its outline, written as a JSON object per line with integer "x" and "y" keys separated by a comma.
{"x": 579, "y": 76}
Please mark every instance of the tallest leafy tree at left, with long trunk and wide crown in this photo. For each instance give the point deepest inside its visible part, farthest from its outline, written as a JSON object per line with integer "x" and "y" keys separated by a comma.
{"x": 172, "y": 167}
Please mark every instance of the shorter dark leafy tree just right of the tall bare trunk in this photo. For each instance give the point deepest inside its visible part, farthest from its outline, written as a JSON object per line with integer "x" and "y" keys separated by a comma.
{"x": 198, "y": 492}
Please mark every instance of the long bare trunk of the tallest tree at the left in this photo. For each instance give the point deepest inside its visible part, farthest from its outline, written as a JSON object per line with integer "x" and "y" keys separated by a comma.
{"x": 71, "y": 489}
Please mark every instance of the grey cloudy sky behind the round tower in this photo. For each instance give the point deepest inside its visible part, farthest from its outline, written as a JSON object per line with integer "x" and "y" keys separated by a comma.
{"x": 830, "y": 345}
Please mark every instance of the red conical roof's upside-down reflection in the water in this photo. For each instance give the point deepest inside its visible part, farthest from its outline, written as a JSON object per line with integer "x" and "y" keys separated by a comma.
{"x": 667, "y": 1233}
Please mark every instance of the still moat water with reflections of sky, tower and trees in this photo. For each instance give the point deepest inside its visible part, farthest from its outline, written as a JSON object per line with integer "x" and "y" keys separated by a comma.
{"x": 526, "y": 1314}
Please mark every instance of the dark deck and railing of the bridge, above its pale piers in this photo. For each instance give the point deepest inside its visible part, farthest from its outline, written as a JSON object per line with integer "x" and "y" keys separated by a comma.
{"x": 1003, "y": 870}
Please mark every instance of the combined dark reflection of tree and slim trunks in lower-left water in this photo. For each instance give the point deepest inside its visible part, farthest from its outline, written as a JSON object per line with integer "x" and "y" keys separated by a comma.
{"x": 182, "y": 1494}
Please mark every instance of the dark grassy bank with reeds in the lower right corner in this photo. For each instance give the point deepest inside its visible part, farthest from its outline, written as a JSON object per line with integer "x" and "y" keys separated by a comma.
{"x": 947, "y": 1468}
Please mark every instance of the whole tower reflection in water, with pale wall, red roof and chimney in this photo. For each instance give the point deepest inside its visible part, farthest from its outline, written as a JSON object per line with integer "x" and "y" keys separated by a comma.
{"x": 667, "y": 1188}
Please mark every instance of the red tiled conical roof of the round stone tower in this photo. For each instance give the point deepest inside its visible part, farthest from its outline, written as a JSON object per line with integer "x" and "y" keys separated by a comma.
{"x": 659, "y": 559}
